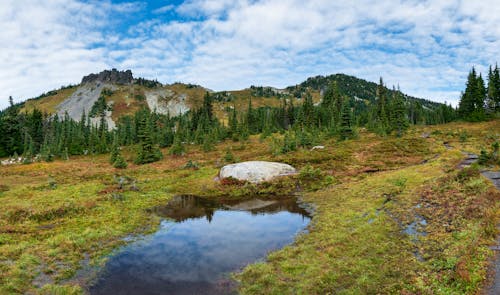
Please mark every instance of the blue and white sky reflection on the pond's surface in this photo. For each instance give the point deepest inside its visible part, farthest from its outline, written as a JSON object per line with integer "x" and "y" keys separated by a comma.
{"x": 198, "y": 251}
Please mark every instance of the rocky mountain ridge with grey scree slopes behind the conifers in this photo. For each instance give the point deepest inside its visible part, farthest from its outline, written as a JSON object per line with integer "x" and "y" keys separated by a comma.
{"x": 118, "y": 93}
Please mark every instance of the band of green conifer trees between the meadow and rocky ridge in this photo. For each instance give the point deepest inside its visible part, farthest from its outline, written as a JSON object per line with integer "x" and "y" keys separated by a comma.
{"x": 303, "y": 123}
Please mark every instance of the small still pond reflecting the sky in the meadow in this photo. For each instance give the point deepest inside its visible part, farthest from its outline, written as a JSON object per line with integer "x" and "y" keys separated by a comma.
{"x": 199, "y": 243}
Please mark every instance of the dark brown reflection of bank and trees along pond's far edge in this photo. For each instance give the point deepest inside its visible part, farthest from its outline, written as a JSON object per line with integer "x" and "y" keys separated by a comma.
{"x": 184, "y": 207}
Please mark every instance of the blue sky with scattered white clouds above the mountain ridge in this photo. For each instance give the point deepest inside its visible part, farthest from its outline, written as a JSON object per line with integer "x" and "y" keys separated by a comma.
{"x": 425, "y": 47}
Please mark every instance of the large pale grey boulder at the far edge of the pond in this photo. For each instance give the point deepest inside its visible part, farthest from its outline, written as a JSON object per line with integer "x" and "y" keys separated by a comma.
{"x": 256, "y": 171}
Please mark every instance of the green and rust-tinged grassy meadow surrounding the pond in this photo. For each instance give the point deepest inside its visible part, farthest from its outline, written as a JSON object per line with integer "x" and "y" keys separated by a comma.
{"x": 55, "y": 215}
